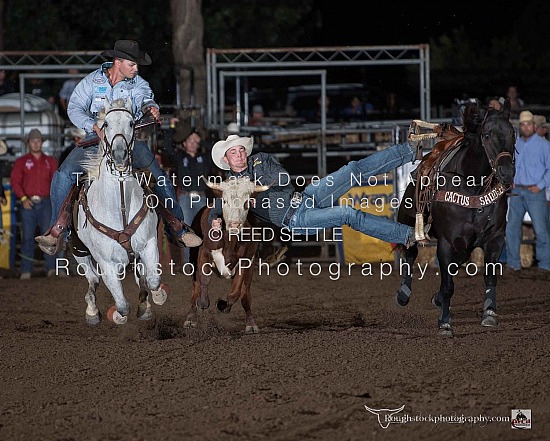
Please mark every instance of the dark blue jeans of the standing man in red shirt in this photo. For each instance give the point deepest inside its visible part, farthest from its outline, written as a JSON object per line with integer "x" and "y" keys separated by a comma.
{"x": 37, "y": 216}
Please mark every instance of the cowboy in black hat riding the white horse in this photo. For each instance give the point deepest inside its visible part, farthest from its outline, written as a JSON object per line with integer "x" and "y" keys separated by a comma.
{"x": 114, "y": 79}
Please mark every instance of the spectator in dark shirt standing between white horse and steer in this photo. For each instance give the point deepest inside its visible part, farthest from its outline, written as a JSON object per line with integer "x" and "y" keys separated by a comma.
{"x": 190, "y": 162}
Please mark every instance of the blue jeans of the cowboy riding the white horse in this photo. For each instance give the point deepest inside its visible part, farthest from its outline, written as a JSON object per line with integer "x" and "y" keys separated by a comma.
{"x": 143, "y": 157}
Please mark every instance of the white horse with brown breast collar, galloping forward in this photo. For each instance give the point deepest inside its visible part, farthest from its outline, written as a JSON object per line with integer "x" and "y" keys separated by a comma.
{"x": 115, "y": 223}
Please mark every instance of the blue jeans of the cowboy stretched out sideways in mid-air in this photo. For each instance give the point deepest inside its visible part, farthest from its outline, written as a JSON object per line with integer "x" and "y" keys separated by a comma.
{"x": 319, "y": 207}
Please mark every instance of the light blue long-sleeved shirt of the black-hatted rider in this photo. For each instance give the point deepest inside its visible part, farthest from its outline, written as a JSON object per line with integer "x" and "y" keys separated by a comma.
{"x": 89, "y": 95}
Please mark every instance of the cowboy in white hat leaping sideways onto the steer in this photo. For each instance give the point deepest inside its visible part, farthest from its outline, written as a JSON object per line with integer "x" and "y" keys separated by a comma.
{"x": 317, "y": 206}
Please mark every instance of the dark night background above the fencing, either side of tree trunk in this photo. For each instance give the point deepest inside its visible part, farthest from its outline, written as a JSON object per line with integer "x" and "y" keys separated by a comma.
{"x": 476, "y": 49}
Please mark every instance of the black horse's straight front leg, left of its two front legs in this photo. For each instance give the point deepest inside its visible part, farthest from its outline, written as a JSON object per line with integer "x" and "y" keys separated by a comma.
{"x": 442, "y": 298}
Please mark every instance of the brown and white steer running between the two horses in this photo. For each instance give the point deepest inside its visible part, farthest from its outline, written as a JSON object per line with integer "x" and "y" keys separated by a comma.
{"x": 225, "y": 253}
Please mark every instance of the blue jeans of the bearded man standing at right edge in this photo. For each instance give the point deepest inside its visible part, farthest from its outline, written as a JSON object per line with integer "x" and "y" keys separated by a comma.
{"x": 522, "y": 200}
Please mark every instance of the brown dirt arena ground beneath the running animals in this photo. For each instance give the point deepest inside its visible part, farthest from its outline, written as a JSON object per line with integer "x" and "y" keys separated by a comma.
{"x": 327, "y": 348}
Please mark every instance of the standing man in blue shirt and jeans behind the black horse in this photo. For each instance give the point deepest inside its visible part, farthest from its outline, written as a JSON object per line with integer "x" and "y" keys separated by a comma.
{"x": 529, "y": 194}
